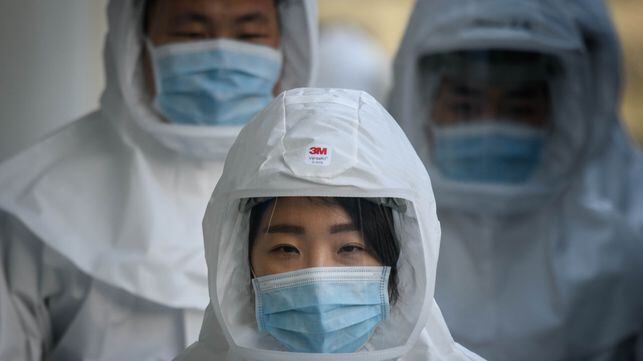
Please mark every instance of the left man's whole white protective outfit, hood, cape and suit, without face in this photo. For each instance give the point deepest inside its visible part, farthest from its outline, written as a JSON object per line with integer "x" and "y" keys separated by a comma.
{"x": 103, "y": 241}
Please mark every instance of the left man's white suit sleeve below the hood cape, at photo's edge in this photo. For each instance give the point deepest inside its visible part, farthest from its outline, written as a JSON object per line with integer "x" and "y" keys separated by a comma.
{"x": 32, "y": 280}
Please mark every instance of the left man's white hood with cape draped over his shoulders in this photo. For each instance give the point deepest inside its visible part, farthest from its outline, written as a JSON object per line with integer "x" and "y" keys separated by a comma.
{"x": 122, "y": 194}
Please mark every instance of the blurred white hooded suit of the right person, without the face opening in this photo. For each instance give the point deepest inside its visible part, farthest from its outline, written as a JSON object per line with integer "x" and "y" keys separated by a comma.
{"x": 547, "y": 269}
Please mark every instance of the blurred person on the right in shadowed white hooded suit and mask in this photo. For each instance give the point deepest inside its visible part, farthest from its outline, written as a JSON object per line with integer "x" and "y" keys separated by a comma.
{"x": 512, "y": 107}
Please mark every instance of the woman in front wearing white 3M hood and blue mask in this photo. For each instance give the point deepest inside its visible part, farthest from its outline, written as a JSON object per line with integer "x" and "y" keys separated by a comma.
{"x": 322, "y": 239}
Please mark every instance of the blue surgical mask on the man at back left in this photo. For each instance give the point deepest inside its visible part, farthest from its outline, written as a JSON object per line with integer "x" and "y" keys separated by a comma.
{"x": 214, "y": 82}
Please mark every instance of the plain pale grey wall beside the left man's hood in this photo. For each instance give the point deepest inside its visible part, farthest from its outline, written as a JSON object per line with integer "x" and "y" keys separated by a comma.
{"x": 50, "y": 66}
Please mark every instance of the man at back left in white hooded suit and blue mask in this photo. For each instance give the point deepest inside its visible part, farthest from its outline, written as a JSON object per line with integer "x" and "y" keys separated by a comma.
{"x": 102, "y": 253}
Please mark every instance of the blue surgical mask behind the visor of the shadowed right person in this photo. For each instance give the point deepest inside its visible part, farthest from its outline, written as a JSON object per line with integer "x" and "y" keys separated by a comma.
{"x": 487, "y": 152}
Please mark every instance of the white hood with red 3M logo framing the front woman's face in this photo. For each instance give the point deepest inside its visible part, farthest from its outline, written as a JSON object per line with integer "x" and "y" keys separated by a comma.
{"x": 369, "y": 156}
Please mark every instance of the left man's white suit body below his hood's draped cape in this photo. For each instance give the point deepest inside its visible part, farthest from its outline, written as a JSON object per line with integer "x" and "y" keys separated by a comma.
{"x": 58, "y": 313}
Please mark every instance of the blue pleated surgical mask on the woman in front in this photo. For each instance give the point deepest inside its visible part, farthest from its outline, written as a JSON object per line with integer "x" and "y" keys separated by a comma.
{"x": 322, "y": 310}
